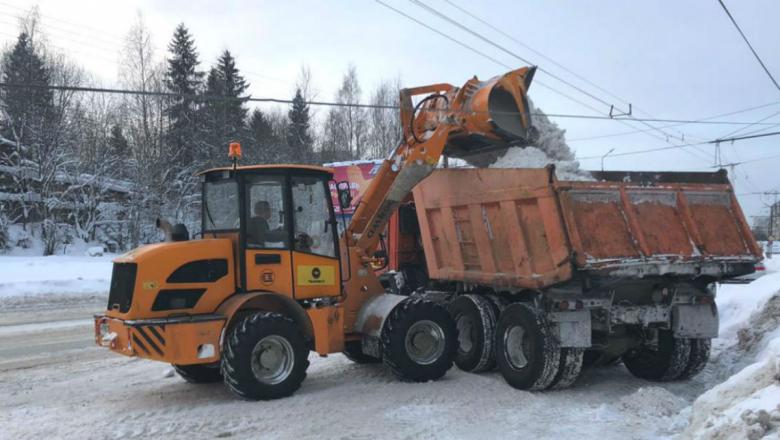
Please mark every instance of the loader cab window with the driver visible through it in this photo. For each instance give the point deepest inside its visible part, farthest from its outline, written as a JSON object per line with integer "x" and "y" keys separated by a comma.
{"x": 266, "y": 225}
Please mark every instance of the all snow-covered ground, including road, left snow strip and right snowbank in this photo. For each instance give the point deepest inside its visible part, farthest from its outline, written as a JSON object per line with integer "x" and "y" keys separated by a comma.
{"x": 56, "y": 385}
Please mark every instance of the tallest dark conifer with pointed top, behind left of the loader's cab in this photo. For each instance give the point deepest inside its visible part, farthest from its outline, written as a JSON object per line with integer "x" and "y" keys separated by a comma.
{"x": 184, "y": 78}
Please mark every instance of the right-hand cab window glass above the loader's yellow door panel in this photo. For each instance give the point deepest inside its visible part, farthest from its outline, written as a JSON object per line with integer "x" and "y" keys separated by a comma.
{"x": 313, "y": 231}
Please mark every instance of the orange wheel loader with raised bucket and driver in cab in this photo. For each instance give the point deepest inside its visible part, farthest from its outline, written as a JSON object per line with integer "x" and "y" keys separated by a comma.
{"x": 270, "y": 278}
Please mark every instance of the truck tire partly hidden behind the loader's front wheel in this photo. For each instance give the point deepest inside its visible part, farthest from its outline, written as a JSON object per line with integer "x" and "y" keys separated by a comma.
{"x": 475, "y": 318}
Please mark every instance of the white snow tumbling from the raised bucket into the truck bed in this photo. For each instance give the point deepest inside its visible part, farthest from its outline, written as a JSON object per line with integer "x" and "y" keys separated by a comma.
{"x": 550, "y": 148}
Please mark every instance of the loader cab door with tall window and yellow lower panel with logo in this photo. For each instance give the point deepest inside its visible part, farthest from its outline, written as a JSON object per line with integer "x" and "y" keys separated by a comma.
{"x": 316, "y": 269}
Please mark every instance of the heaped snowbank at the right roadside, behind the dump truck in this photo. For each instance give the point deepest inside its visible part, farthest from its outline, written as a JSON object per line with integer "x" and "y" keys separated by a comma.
{"x": 745, "y": 367}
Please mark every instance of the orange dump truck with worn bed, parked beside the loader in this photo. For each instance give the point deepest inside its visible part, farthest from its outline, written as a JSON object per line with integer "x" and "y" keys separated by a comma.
{"x": 543, "y": 275}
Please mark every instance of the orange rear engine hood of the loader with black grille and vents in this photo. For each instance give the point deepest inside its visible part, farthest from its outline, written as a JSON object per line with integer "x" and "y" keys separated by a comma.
{"x": 172, "y": 278}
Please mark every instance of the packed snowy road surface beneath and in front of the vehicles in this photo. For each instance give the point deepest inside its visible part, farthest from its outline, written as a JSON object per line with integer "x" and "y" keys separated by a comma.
{"x": 54, "y": 379}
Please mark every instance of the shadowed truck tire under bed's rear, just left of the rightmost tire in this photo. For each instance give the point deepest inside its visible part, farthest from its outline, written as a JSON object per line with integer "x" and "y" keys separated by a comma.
{"x": 665, "y": 362}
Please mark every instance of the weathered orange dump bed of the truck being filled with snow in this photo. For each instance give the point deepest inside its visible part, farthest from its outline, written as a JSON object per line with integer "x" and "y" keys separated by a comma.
{"x": 522, "y": 228}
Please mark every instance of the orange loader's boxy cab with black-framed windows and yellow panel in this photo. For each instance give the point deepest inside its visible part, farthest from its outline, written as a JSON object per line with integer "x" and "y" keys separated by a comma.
{"x": 281, "y": 221}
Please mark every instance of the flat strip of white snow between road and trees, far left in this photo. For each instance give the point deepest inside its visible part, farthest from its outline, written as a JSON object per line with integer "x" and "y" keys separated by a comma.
{"x": 58, "y": 275}
